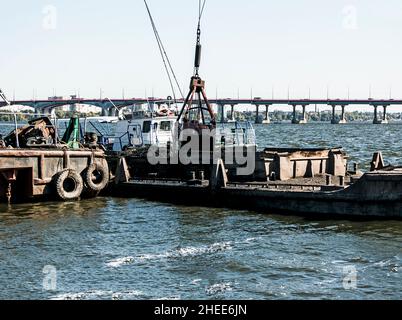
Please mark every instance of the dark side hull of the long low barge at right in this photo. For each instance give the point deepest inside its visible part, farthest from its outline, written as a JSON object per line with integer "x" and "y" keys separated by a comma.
{"x": 375, "y": 195}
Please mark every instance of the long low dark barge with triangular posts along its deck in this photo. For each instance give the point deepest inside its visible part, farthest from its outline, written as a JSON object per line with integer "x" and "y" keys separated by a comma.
{"x": 376, "y": 194}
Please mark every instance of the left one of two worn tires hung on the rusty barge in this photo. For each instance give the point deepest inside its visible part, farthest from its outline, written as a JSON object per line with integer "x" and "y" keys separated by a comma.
{"x": 68, "y": 184}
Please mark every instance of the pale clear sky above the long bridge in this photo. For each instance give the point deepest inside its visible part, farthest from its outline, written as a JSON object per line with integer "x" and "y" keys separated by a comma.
{"x": 256, "y": 47}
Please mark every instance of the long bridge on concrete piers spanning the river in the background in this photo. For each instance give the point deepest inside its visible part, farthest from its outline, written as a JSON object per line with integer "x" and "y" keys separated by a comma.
{"x": 111, "y": 107}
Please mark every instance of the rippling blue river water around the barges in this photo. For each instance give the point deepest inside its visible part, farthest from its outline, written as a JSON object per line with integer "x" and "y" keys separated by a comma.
{"x": 112, "y": 248}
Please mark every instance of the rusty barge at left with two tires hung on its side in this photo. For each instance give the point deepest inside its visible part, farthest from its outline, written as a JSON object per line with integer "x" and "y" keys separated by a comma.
{"x": 36, "y": 164}
